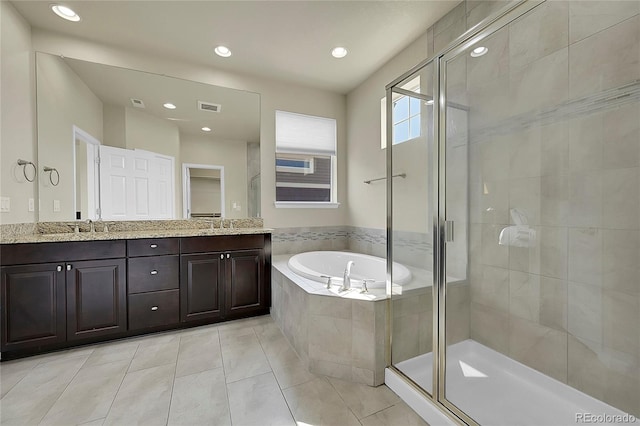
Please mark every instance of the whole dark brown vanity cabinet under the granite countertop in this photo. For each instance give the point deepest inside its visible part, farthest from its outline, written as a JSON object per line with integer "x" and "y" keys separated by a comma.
{"x": 56, "y": 295}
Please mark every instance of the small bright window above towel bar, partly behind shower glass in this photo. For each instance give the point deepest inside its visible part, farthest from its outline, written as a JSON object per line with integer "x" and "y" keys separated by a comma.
{"x": 406, "y": 115}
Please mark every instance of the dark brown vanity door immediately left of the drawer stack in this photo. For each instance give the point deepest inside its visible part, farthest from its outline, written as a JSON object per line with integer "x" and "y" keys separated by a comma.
{"x": 96, "y": 298}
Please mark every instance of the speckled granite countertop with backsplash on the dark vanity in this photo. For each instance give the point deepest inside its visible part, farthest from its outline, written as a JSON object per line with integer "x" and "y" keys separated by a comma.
{"x": 47, "y": 232}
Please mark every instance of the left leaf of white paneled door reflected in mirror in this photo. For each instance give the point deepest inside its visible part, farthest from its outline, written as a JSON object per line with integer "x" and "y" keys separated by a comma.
{"x": 115, "y": 174}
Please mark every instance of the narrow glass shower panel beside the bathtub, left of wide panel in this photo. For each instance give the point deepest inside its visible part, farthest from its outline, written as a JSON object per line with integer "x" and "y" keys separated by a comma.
{"x": 410, "y": 145}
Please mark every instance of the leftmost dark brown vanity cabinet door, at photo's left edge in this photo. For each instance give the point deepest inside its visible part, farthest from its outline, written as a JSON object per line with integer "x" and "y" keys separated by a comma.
{"x": 33, "y": 306}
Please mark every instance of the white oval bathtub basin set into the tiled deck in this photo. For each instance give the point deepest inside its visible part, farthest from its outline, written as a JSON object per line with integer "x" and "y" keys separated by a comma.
{"x": 321, "y": 265}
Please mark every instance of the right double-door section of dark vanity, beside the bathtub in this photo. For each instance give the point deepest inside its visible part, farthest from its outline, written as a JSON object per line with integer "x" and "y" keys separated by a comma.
{"x": 224, "y": 277}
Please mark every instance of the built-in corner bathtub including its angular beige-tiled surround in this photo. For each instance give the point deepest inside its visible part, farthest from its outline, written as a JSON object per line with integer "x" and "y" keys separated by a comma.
{"x": 337, "y": 333}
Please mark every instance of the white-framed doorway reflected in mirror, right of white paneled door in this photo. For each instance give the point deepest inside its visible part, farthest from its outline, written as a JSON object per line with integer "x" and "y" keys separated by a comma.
{"x": 203, "y": 189}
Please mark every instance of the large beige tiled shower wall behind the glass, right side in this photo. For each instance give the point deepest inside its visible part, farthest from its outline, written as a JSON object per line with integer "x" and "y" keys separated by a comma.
{"x": 568, "y": 305}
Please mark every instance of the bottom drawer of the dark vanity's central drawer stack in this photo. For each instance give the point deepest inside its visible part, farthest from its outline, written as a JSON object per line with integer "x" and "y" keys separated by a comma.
{"x": 154, "y": 309}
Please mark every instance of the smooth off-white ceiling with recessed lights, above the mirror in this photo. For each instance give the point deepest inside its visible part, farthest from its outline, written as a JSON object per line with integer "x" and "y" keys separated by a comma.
{"x": 285, "y": 40}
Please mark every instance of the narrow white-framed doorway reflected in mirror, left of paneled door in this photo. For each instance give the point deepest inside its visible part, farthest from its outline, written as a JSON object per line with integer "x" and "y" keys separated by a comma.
{"x": 85, "y": 153}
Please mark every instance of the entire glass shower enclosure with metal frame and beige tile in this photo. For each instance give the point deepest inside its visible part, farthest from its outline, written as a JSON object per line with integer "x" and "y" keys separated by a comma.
{"x": 514, "y": 199}
